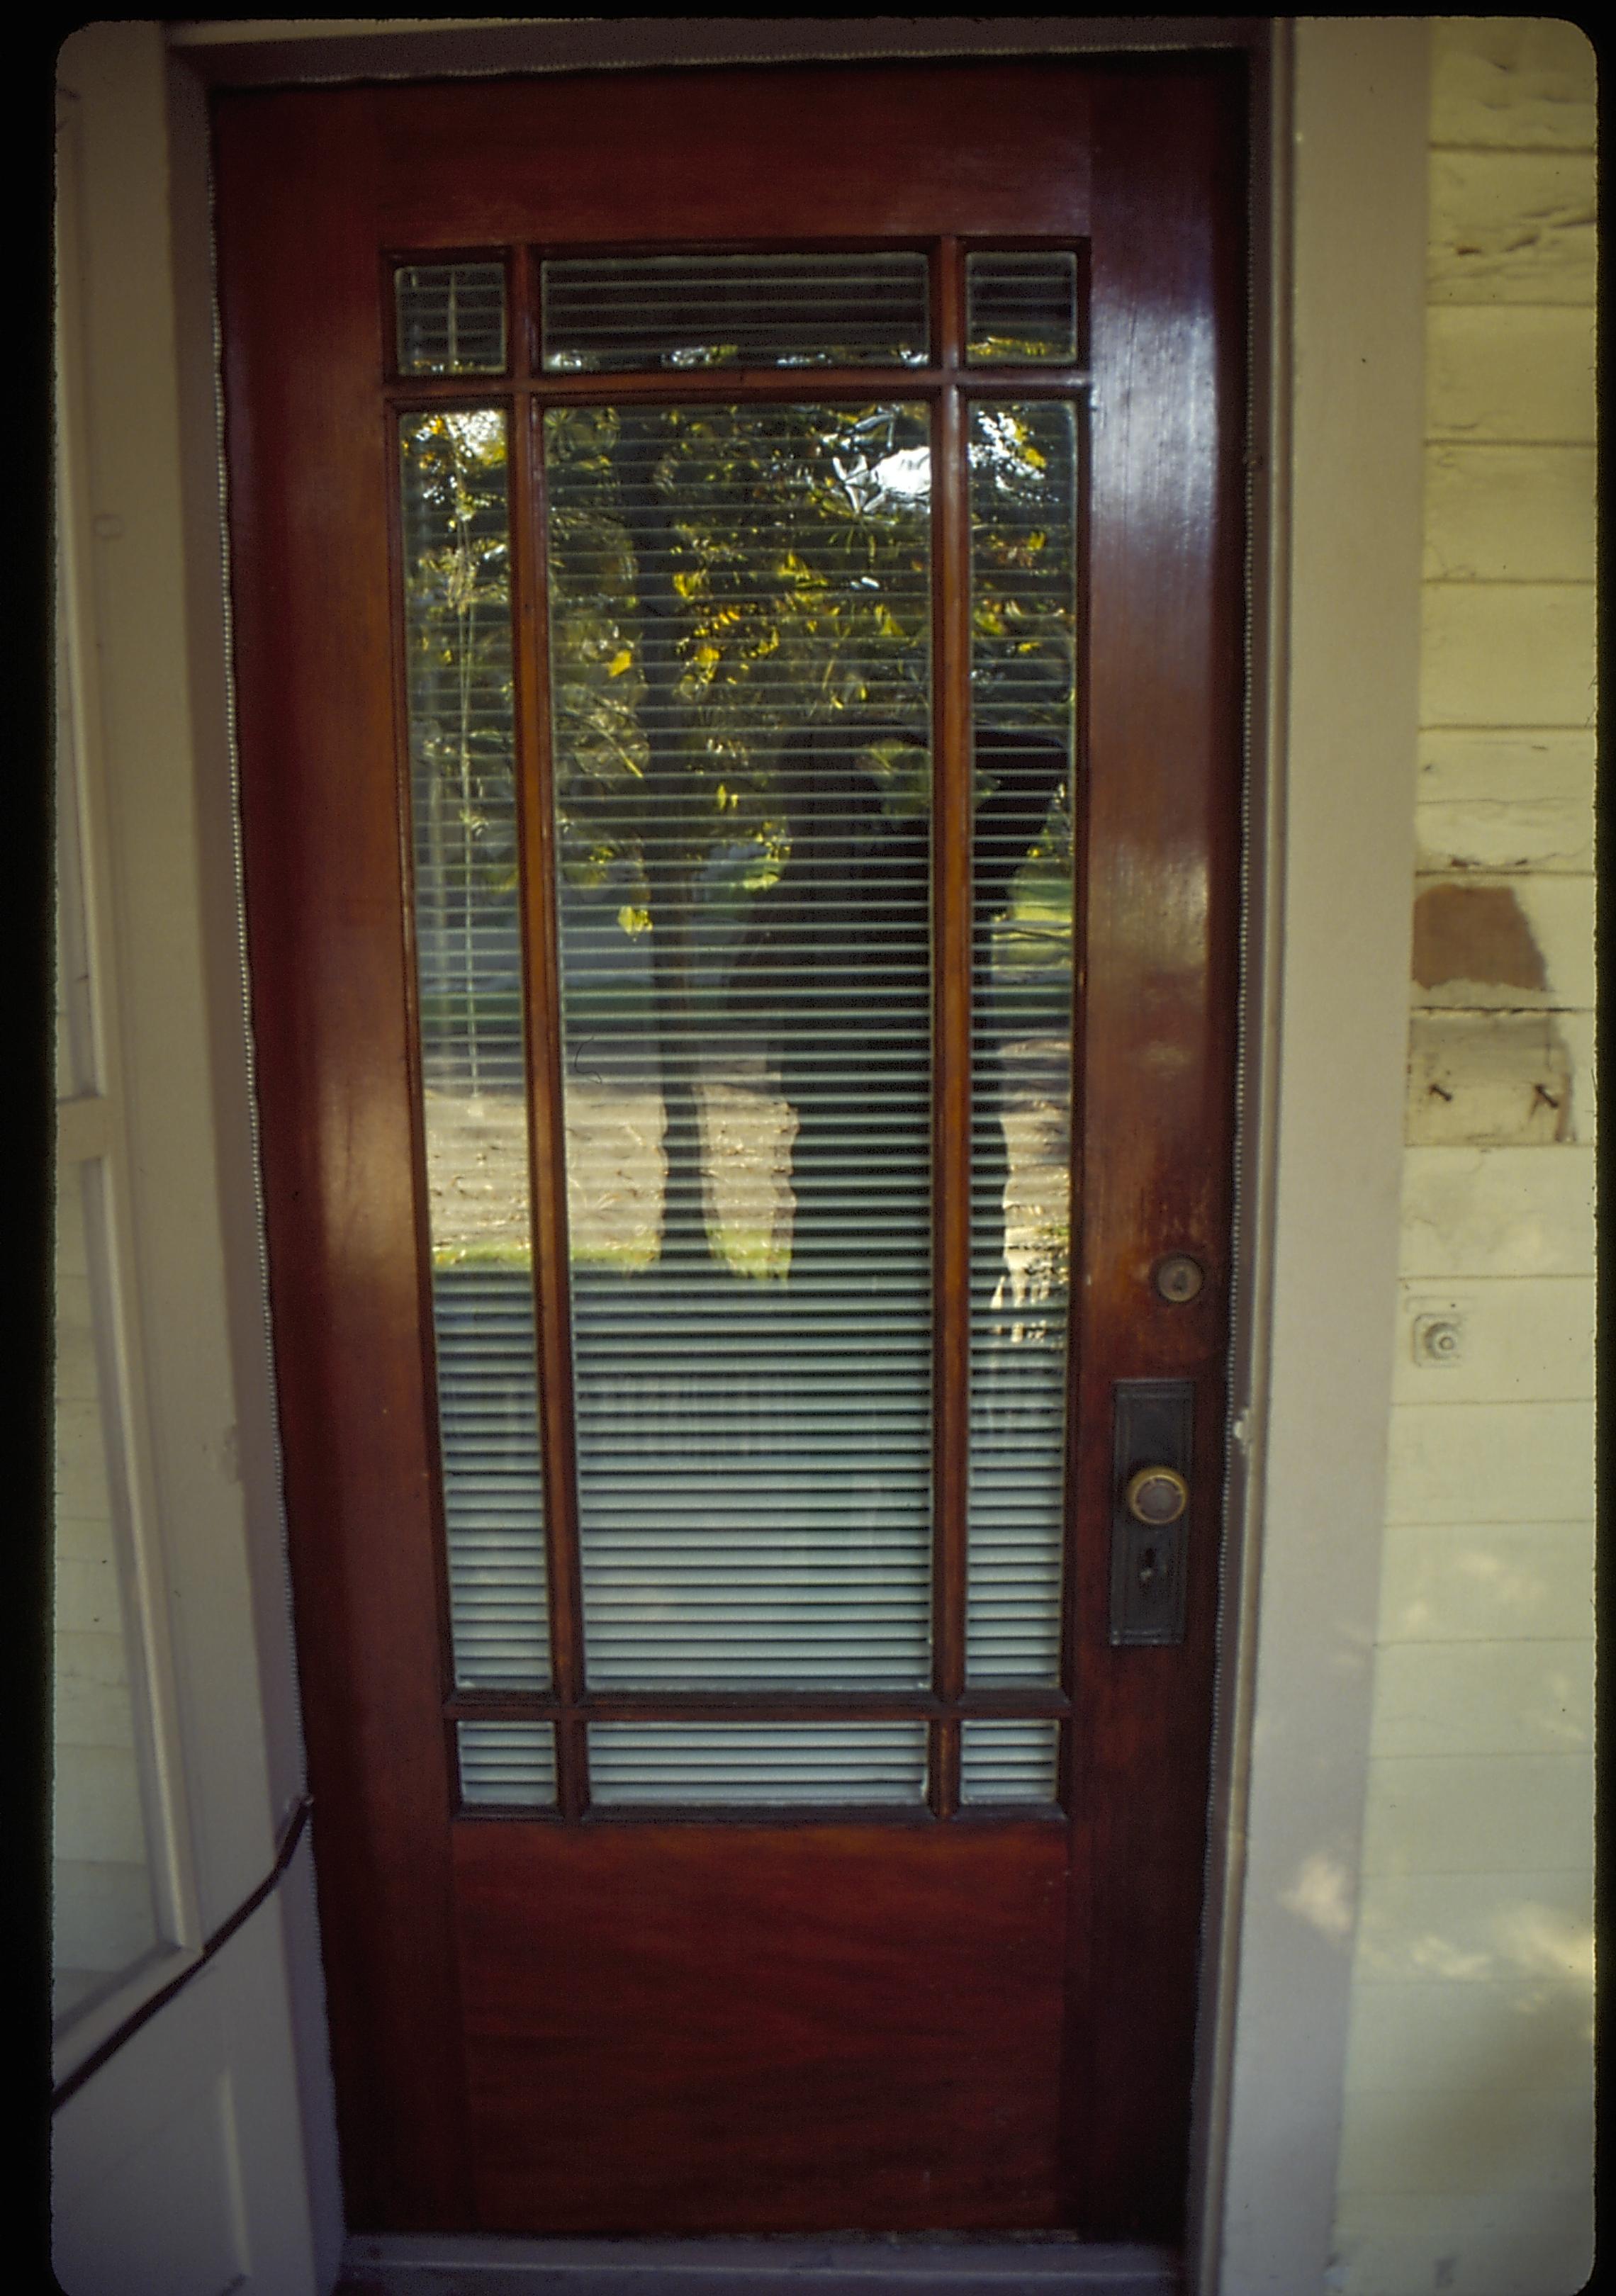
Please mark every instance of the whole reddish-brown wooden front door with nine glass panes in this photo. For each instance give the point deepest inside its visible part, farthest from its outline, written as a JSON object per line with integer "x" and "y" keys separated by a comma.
{"x": 738, "y": 637}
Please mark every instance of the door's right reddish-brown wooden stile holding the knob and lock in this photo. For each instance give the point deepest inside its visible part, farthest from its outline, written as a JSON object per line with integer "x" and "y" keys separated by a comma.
{"x": 1158, "y": 1103}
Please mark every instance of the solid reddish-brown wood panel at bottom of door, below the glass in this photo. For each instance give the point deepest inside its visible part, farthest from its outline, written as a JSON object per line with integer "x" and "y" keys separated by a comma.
{"x": 761, "y": 2029}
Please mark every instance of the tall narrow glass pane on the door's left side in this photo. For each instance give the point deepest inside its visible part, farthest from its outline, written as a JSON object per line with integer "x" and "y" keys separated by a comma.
{"x": 472, "y": 1039}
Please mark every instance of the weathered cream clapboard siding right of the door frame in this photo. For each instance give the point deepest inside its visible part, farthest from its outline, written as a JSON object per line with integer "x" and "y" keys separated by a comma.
{"x": 1466, "y": 2155}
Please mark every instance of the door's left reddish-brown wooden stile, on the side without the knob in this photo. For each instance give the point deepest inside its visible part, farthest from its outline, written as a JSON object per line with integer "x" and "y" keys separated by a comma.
{"x": 313, "y": 665}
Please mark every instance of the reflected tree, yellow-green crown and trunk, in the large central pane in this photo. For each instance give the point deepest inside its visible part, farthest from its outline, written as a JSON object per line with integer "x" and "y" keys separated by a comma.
{"x": 722, "y": 584}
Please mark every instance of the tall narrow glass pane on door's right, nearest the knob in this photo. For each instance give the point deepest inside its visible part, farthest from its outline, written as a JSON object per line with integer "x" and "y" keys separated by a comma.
{"x": 1023, "y": 701}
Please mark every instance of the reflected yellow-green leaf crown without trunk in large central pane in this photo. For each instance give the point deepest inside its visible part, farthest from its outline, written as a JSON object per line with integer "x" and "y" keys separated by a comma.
{"x": 722, "y": 577}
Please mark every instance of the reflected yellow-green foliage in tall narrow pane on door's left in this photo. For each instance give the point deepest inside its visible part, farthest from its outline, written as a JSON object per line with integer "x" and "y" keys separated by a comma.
{"x": 460, "y": 685}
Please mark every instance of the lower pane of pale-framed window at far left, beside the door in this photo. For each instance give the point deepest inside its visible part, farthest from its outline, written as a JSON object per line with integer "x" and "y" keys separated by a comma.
{"x": 102, "y": 1909}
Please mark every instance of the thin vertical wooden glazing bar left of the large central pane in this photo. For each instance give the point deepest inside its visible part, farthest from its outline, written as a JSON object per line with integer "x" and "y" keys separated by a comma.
{"x": 547, "y": 1128}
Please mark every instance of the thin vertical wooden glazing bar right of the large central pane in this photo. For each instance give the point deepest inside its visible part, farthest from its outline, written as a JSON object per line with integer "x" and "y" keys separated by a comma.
{"x": 951, "y": 1023}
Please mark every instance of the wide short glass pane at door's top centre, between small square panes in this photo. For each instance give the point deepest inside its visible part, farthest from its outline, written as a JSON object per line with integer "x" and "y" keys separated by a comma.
{"x": 733, "y": 311}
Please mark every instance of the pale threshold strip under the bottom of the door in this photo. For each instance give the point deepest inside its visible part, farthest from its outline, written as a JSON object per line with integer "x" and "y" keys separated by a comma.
{"x": 832, "y": 2265}
